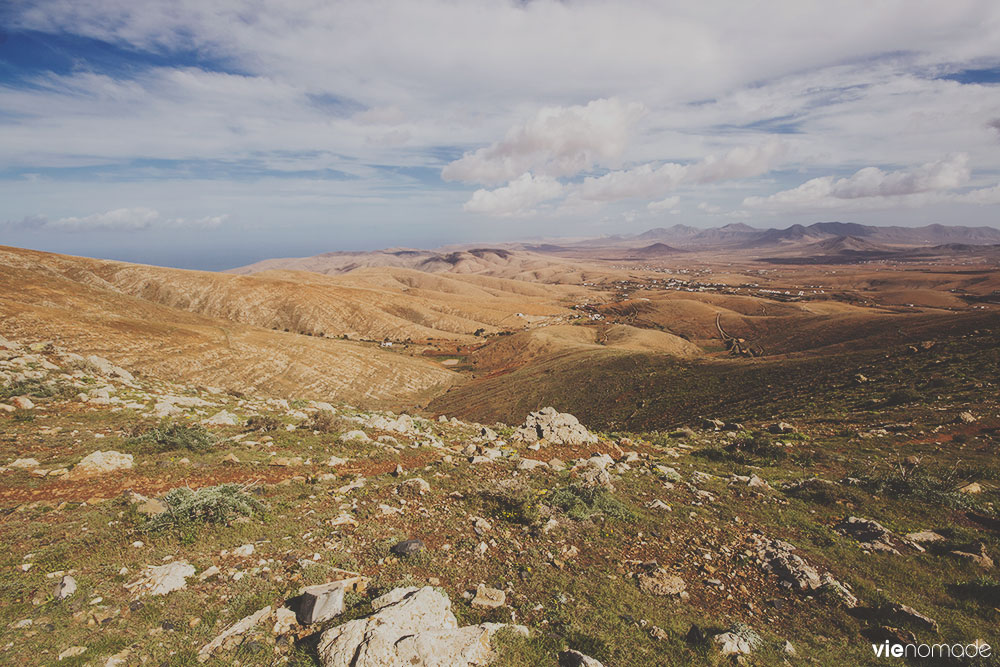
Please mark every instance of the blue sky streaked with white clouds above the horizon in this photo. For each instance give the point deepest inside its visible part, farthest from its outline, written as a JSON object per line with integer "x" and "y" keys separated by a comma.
{"x": 213, "y": 133}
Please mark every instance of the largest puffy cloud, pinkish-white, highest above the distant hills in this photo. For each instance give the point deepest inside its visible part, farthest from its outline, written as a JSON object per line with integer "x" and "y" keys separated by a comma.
{"x": 558, "y": 141}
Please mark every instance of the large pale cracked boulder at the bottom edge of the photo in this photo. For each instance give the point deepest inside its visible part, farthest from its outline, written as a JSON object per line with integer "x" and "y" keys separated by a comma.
{"x": 410, "y": 626}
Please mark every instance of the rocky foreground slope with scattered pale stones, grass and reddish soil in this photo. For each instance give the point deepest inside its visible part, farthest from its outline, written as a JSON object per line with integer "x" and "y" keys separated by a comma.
{"x": 146, "y": 522}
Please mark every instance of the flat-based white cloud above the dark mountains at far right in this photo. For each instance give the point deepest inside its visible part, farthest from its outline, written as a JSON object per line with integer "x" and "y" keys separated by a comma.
{"x": 871, "y": 183}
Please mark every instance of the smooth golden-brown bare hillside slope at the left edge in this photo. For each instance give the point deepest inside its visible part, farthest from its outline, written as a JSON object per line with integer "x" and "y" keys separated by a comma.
{"x": 77, "y": 301}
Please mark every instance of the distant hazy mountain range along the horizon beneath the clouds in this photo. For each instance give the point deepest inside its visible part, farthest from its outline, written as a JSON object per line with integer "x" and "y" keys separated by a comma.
{"x": 833, "y": 242}
